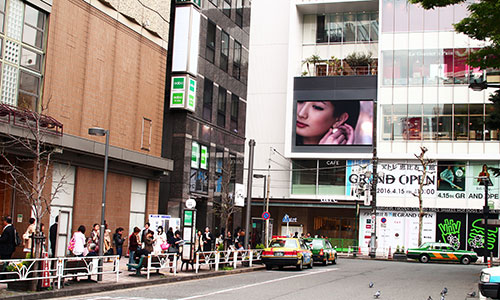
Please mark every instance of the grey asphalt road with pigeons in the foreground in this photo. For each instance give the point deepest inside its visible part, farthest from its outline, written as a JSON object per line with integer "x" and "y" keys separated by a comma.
{"x": 348, "y": 279}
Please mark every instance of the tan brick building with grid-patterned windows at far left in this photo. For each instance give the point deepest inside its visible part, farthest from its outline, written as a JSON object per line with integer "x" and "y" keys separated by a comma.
{"x": 88, "y": 64}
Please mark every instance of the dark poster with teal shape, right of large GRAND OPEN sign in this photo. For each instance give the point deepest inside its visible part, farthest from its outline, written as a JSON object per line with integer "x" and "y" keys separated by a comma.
{"x": 451, "y": 179}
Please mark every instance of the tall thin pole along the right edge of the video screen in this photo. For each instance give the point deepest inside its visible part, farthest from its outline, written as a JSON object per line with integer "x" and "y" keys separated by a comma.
{"x": 373, "y": 237}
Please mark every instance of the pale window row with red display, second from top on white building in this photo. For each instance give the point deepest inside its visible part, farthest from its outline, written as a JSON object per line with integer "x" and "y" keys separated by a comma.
{"x": 427, "y": 67}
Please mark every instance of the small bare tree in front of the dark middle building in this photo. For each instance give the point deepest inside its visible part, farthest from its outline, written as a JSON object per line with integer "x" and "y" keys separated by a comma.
{"x": 225, "y": 208}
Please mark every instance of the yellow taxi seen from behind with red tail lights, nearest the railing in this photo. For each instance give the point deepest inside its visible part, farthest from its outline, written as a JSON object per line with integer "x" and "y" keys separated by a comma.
{"x": 287, "y": 252}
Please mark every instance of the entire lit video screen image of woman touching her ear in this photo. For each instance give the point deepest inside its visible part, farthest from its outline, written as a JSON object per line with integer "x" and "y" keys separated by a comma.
{"x": 333, "y": 122}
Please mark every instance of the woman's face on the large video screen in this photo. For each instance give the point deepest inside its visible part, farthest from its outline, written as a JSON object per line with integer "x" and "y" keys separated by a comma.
{"x": 314, "y": 118}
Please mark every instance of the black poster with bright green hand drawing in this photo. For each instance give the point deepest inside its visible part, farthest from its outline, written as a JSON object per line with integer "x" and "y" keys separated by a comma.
{"x": 451, "y": 228}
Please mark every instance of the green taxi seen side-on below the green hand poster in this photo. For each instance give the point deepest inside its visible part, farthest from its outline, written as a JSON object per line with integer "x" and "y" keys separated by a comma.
{"x": 441, "y": 252}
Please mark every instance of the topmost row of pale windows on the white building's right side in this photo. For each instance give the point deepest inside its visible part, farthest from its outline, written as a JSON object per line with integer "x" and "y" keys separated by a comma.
{"x": 401, "y": 16}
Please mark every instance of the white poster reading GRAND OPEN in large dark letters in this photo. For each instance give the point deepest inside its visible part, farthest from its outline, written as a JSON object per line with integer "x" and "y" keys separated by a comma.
{"x": 403, "y": 179}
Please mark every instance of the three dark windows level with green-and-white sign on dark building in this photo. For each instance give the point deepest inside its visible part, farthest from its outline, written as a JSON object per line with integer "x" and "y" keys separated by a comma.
{"x": 222, "y": 93}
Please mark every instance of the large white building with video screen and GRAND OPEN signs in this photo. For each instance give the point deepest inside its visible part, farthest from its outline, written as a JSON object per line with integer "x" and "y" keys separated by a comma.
{"x": 408, "y": 77}
